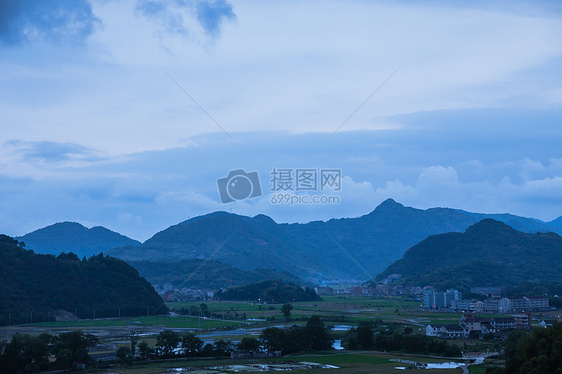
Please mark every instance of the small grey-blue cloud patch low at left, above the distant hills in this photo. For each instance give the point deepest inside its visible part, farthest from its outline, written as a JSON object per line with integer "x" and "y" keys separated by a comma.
{"x": 47, "y": 151}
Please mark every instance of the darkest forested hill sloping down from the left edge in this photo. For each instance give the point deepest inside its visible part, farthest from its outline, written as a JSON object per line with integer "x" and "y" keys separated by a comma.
{"x": 32, "y": 285}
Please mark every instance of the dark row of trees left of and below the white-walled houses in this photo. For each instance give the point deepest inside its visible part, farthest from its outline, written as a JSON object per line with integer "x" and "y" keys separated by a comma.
{"x": 366, "y": 336}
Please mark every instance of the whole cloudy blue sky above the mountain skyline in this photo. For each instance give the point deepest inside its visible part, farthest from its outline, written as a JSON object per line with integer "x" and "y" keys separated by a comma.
{"x": 139, "y": 114}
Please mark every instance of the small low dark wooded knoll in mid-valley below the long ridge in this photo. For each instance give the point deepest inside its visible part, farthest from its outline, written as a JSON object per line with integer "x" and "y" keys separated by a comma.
{"x": 269, "y": 291}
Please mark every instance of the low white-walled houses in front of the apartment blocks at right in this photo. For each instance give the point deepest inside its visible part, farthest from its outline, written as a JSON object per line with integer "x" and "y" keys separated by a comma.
{"x": 471, "y": 325}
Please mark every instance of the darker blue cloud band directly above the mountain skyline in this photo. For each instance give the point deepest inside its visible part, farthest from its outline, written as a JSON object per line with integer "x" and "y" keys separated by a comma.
{"x": 141, "y": 193}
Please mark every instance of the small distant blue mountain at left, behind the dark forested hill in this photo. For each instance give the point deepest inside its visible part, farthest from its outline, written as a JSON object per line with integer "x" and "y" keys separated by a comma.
{"x": 73, "y": 237}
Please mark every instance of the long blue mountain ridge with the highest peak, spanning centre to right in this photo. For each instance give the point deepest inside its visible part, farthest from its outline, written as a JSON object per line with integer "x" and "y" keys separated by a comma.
{"x": 344, "y": 248}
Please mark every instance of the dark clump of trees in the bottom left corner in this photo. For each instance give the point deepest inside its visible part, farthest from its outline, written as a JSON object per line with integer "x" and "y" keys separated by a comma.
{"x": 32, "y": 354}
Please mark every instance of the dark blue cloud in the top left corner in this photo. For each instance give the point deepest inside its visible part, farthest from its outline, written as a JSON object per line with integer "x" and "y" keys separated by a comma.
{"x": 55, "y": 20}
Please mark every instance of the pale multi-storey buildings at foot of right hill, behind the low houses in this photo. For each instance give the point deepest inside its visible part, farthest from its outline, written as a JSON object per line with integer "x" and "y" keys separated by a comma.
{"x": 452, "y": 299}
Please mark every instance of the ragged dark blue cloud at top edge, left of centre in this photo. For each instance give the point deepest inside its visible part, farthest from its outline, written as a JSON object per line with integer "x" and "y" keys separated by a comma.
{"x": 168, "y": 13}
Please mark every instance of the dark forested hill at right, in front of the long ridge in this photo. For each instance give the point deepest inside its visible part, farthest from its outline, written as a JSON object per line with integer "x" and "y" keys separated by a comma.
{"x": 487, "y": 253}
